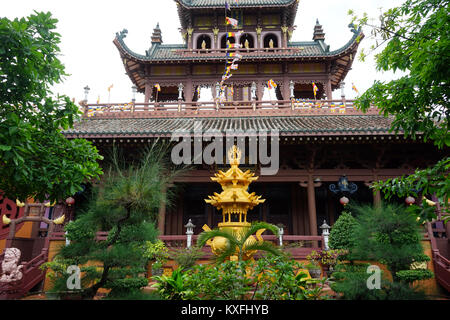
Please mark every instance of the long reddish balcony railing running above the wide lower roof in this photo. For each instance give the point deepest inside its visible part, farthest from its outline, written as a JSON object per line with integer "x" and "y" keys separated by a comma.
{"x": 215, "y": 108}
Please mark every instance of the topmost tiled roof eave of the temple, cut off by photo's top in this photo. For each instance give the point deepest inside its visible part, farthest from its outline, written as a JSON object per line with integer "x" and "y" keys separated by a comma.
{"x": 241, "y": 3}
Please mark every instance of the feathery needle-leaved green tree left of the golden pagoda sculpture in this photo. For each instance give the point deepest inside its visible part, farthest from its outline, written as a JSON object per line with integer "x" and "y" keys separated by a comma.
{"x": 125, "y": 206}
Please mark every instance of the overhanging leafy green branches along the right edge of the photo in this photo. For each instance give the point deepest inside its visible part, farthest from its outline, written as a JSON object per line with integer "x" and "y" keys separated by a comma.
{"x": 417, "y": 42}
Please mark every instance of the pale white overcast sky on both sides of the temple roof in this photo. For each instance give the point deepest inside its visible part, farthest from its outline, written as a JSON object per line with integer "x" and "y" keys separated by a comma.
{"x": 88, "y": 29}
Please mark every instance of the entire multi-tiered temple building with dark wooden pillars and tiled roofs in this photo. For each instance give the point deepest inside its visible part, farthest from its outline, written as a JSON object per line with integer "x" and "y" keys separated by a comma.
{"x": 320, "y": 140}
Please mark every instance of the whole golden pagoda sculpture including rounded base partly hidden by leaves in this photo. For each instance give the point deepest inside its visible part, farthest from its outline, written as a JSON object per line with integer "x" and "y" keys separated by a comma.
{"x": 234, "y": 201}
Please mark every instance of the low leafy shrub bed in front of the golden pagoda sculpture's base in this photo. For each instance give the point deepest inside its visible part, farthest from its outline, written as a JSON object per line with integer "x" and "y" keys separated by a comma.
{"x": 269, "y": 278}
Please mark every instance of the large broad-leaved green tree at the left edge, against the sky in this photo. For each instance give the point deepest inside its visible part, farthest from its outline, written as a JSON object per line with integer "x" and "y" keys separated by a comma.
{"x": 36, "y": 160}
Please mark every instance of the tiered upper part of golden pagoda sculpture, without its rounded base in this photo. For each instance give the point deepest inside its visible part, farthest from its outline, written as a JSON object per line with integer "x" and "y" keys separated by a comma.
{"x": 234, "y": 199}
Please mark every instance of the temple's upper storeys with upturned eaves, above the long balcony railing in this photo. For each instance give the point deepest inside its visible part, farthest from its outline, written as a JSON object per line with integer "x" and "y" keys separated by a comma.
{"x": 260, "y": 37}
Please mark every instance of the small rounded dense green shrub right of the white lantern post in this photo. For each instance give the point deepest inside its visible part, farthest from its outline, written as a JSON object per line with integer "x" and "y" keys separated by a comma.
{"x": 342, "y": 235}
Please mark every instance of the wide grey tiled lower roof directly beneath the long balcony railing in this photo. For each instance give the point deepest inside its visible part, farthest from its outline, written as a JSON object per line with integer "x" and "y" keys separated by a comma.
{"x": 287, "y": 125}
